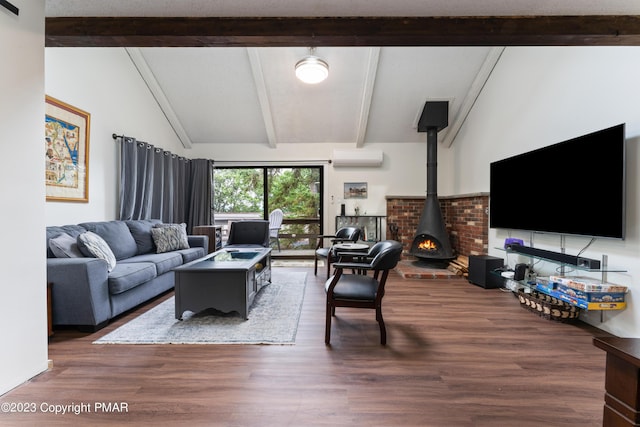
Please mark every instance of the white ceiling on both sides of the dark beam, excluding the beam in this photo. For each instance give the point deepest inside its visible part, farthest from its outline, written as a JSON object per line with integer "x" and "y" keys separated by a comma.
{"x": 373, "y": 95}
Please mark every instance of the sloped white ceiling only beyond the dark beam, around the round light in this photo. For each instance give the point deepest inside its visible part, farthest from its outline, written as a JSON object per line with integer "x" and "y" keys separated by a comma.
{"x": 251, "y": 95}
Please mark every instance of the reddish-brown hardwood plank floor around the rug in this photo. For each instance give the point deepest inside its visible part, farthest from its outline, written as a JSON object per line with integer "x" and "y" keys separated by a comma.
{"x": 457, "y": 355}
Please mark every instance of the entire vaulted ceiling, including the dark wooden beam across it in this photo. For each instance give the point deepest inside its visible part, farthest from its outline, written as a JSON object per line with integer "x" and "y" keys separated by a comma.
{"x": 223, "y": 71}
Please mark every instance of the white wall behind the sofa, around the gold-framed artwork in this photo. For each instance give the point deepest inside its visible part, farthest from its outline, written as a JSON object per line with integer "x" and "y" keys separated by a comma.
{"x": 104, "y": 82}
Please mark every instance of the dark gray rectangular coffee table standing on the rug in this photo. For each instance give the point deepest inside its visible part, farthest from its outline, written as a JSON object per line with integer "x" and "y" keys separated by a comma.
{"x": 227, "y": 280}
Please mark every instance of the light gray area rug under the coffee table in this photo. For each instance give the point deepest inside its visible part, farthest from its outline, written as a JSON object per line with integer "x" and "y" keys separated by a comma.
{"x": 273, "y": 319}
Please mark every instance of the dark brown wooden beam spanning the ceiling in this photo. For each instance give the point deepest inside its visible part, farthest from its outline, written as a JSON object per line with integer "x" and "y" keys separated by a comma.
{"x": 590, "y": 30}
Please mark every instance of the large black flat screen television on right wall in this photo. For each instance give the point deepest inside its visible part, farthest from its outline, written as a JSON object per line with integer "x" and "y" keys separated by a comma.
{"x": 575, "y": 187}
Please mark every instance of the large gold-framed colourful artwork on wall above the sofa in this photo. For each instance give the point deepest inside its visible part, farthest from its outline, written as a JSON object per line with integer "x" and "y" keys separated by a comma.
{"x": 66, "y": 142}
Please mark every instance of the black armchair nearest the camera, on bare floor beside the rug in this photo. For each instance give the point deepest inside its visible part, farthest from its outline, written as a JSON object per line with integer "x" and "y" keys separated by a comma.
{"x": 362, "y": 290}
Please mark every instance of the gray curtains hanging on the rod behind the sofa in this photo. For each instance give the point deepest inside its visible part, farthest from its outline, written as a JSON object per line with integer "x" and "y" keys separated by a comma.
{"x": 156, "y": 184}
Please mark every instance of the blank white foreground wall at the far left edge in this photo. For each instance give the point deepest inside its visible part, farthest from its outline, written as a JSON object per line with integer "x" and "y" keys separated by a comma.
{"x": 23, "y": 312}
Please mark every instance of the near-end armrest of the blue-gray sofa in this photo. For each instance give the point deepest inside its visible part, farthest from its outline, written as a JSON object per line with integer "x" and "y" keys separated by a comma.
{"x": 79, "y": 292}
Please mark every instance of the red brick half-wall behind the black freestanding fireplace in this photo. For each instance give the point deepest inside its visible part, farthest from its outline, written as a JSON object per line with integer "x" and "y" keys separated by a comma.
{"x": 465, "y": 217}
